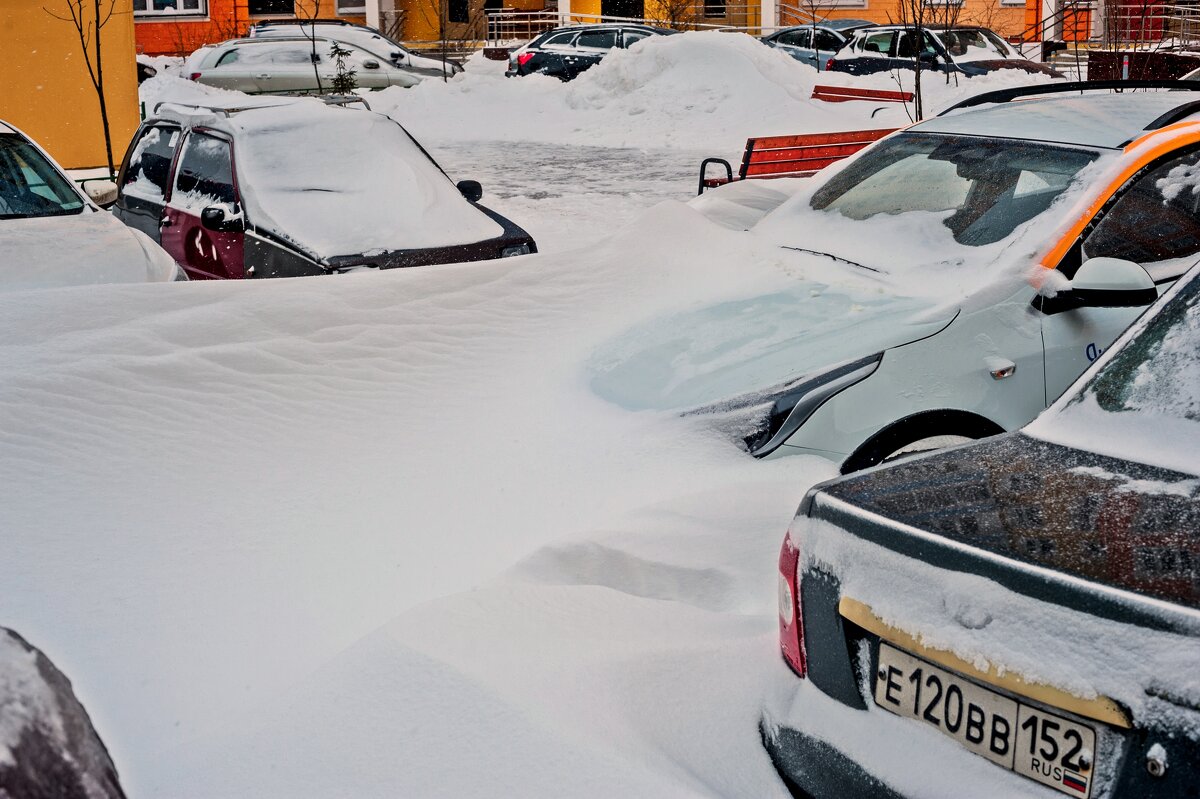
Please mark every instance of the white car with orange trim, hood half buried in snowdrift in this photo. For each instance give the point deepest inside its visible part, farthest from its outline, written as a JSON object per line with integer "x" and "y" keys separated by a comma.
{"x": 946, "y": 284}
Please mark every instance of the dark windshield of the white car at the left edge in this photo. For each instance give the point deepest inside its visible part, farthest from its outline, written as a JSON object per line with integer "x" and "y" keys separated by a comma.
{"x": 31, "y": 185}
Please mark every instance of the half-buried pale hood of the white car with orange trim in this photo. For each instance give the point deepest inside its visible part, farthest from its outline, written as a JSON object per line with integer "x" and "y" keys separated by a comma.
{"x": 752, "y": 347}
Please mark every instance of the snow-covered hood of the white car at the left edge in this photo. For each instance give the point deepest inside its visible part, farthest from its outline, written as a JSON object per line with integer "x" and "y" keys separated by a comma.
{"x": 79, "y": 250}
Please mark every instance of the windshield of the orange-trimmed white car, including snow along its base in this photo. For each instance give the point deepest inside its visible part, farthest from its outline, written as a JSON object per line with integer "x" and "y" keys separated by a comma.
{"x": 938, "y": 214}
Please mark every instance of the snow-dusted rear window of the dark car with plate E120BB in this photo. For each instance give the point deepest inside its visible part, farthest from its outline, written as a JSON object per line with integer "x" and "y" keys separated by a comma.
{"x": 1144, "y": 405}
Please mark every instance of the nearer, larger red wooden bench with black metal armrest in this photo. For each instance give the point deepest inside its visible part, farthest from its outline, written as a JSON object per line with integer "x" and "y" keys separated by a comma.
{"x": 791, "y": 157}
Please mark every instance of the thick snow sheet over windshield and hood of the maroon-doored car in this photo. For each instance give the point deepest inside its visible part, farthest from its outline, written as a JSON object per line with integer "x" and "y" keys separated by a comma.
{"x": 346, "y": 182}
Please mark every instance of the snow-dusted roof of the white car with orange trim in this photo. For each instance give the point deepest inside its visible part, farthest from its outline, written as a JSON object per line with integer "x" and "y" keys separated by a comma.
{"x": 1091, "y": 121}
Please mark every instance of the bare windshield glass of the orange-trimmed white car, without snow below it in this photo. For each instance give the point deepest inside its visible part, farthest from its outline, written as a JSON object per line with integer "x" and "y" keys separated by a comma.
{"x": 983, "y": 188}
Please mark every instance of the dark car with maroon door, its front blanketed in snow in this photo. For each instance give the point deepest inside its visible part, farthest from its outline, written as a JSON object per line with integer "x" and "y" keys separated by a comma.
{"x": 292, "y": 187}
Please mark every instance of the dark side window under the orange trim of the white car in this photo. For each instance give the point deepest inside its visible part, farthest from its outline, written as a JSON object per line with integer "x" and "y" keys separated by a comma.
{"x": 1156, "y": 221}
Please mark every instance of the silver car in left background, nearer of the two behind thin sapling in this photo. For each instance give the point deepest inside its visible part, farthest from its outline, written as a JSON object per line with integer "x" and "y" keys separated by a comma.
{"x": 291, "y": 67}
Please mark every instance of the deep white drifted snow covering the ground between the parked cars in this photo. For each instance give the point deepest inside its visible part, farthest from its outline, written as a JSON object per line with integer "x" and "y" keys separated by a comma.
{"x": 373, "y": 534}
